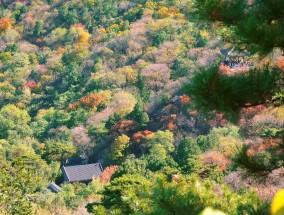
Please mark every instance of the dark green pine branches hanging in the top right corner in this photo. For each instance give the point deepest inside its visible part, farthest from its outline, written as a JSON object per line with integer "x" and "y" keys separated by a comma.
{"x": 258, "y": 24}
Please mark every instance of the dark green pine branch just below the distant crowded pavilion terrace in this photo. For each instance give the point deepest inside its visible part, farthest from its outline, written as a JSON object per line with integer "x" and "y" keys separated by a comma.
{"x": 211, "y": 90}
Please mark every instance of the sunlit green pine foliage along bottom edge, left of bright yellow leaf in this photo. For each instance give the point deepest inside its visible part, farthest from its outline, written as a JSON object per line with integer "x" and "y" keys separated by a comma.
{"x": 190, "y": 195}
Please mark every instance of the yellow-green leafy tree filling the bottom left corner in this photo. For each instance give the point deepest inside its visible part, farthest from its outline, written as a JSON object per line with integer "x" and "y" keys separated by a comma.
{"x": 20, "y": 180}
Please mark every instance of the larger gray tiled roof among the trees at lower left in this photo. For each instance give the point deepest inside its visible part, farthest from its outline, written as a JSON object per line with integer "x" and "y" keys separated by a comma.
{"x": 81, "y": 172}
